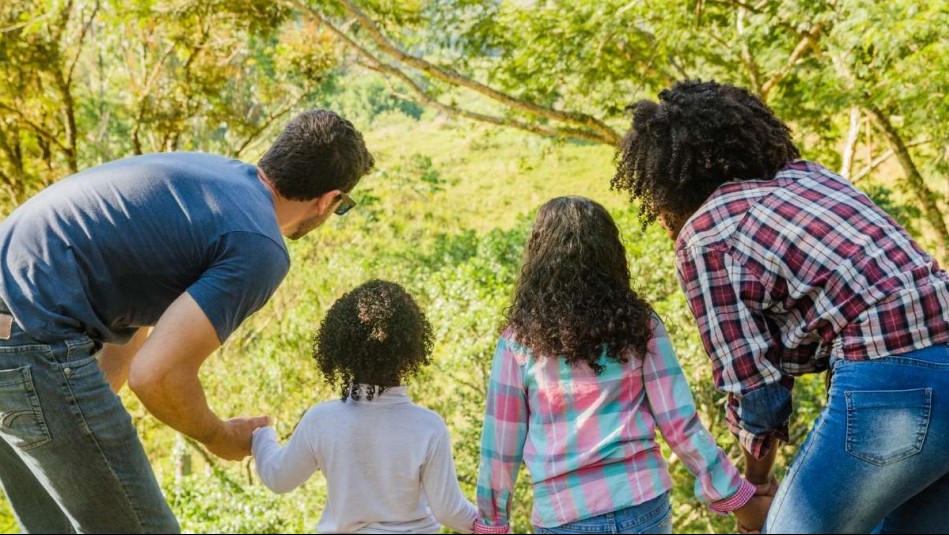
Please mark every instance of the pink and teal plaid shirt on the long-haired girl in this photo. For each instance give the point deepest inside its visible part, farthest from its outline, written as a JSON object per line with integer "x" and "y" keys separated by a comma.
{"x": 589, "y": 441}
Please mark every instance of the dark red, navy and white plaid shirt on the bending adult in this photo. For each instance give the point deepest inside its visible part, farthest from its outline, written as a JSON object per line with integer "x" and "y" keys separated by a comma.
{"x": 785, "y": 274}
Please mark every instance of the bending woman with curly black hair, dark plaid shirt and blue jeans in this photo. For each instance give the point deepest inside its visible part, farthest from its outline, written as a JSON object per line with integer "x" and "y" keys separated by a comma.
{"x": 789, "y": 269}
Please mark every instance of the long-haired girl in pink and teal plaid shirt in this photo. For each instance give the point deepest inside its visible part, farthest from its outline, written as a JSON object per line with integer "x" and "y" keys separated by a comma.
{"x": 582, "y": 376}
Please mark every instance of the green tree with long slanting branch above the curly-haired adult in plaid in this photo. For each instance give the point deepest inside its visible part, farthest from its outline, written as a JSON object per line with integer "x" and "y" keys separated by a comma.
{"x": 566, "y": 68}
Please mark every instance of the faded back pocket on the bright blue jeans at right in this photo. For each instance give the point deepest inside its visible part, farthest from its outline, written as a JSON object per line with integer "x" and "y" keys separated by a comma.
{"x": 884, "y": 427}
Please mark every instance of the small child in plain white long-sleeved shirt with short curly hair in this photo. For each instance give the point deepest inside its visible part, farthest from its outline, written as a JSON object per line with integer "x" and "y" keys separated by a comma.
{"x": 387, "y": 461}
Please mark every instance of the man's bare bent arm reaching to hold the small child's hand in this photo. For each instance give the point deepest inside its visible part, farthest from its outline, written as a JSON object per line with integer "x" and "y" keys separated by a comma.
{"x": 164, "y": 376}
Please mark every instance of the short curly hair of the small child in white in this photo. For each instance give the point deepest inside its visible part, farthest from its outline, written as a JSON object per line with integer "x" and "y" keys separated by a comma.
{"x": 374, "y": 335}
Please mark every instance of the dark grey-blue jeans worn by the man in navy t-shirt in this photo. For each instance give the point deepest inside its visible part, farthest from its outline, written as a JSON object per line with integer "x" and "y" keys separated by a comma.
{"x": 70, "y": 459}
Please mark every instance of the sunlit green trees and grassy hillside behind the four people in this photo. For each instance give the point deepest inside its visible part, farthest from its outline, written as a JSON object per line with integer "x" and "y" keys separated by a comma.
{"x": 477, "y": 111}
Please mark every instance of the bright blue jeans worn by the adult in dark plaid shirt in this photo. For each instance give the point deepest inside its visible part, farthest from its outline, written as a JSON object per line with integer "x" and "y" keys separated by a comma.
{"x": 878, "y": 456}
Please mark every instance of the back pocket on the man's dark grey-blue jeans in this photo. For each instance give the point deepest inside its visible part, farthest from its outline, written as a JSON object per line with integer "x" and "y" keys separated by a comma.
{"x": 22, "y": 422}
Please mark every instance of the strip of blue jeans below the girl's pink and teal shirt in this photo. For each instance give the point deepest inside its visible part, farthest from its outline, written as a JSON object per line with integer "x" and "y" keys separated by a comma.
{"x": 654, "y": 516}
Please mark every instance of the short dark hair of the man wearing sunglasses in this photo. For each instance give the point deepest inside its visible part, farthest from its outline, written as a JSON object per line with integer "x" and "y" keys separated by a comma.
{"x": 319, "y": 151}
